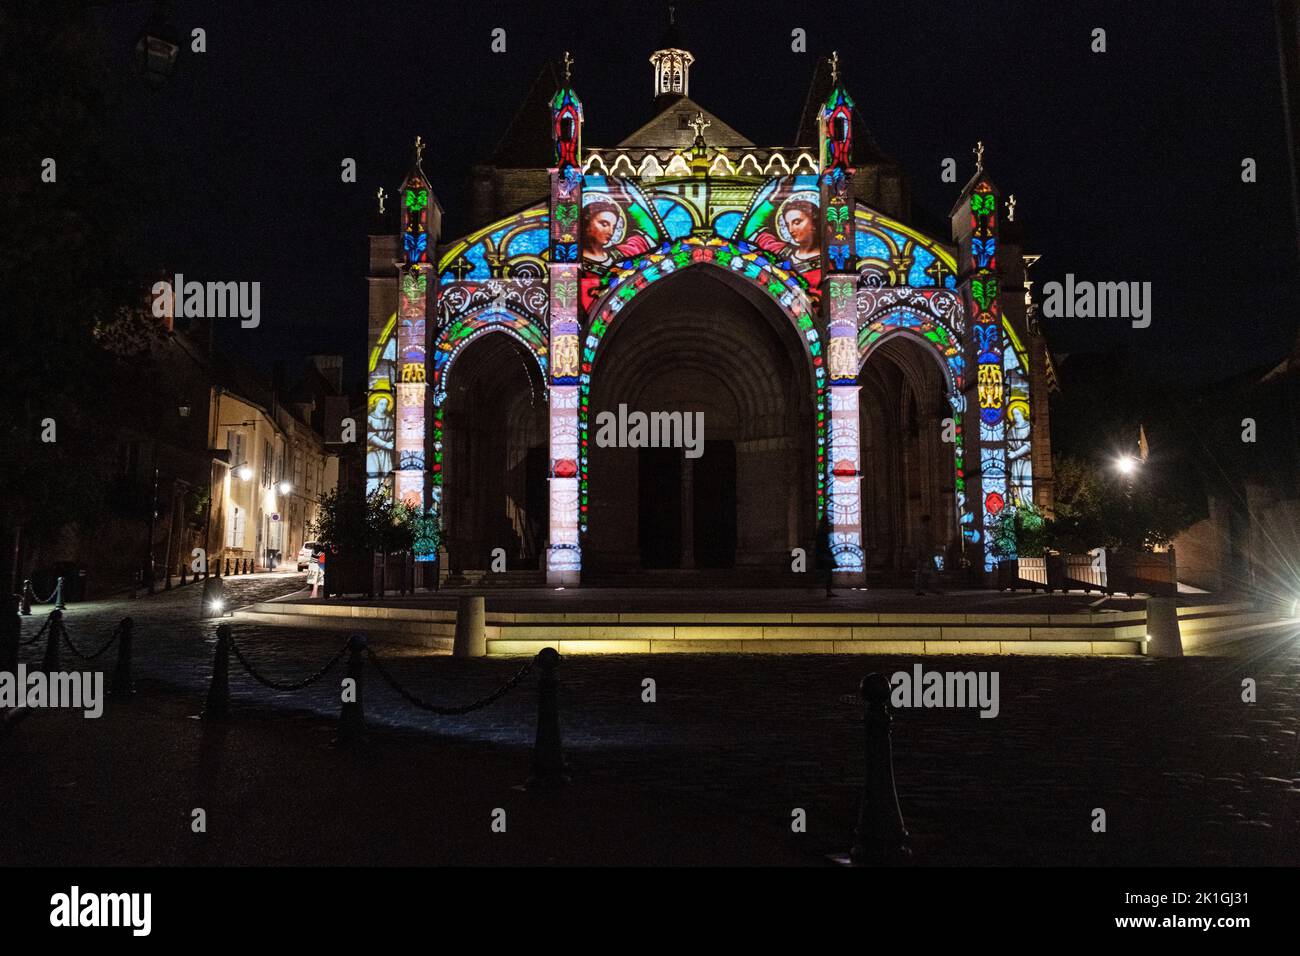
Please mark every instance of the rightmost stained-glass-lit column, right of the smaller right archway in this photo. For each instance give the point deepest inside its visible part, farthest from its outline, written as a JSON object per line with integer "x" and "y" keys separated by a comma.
{"x": 976, "y": 232}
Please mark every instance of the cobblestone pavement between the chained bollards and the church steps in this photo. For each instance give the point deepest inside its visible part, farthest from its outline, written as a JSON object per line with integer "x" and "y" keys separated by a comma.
{"x": 1185, "y": 771}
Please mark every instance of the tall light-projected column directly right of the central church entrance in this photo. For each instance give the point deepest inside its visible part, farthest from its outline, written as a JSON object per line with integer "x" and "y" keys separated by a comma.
{"x": 840, "y": 291}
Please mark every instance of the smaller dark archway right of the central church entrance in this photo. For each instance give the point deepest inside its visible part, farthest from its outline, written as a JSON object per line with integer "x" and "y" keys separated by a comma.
{"x": 908, "y": 469}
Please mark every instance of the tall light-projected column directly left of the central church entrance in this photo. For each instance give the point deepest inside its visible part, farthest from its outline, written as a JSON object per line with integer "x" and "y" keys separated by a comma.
{"x": 567, "y": 496}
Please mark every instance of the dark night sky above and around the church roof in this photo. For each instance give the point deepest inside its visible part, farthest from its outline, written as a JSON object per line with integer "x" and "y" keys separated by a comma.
{"x": 1126, "y": 166}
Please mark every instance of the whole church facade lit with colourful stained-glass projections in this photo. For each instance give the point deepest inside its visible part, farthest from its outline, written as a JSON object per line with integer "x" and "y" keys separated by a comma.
{"x": 860, "y": 383}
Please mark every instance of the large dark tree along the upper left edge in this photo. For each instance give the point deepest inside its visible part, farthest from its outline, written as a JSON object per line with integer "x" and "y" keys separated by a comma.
{"x": 64, "y": 267}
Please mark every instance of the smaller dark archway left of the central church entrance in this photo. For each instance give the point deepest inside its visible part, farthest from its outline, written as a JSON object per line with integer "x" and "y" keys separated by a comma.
{"x": 493, "y": 456}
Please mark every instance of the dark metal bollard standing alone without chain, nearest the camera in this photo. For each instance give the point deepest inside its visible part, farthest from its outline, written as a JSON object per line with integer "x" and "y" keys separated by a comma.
{"x": 881, "y": 837}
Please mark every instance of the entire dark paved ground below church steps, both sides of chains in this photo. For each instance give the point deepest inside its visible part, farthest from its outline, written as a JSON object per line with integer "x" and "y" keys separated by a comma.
{"x": 733, "y": 746}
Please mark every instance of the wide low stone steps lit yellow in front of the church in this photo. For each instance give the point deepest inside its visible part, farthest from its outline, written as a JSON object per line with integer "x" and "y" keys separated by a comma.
{"x": 788, "y": 621}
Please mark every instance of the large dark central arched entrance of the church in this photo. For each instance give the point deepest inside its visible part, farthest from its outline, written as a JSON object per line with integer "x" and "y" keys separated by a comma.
{"x": 709, "y": 344}
